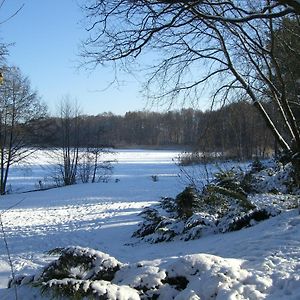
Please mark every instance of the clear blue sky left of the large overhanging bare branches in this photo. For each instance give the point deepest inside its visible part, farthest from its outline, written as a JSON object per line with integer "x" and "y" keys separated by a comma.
{"x": 47, "y": 35}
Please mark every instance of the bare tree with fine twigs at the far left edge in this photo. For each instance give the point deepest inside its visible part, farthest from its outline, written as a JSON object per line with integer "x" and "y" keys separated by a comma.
{"x": 19, "y": 106}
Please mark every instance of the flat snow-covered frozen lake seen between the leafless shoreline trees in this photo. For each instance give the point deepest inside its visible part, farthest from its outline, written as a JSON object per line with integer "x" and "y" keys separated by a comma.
{"x": 128, "y": 164}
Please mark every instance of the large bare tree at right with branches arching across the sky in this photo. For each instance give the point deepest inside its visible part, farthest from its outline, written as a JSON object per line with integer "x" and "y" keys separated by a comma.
{"x": 228, "y": 45}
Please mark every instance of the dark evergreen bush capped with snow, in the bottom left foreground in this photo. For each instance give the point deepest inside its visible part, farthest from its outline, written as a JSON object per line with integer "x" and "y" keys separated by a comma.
{"x": 78, "y": 273}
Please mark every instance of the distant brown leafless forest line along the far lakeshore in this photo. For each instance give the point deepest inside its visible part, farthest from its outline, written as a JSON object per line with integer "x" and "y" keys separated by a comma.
{"x": 235, "y": 130}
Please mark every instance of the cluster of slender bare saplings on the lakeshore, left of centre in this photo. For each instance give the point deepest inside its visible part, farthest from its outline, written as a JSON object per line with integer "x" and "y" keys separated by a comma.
{"x": 76, "y": 162}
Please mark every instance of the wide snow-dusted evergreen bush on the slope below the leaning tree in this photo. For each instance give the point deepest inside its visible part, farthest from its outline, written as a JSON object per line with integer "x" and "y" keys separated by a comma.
{"x": 225, "y": 204}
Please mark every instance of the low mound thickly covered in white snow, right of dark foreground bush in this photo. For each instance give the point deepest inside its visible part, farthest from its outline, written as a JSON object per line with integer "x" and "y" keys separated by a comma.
{"x": 199, "y": 276}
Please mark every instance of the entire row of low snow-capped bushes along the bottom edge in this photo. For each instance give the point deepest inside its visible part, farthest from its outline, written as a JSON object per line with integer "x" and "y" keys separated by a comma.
{"x": 83, "y": 273}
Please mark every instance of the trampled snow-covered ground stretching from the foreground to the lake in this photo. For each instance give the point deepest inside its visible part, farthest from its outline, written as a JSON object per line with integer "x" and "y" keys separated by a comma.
{"x": 261, "y": 262}
